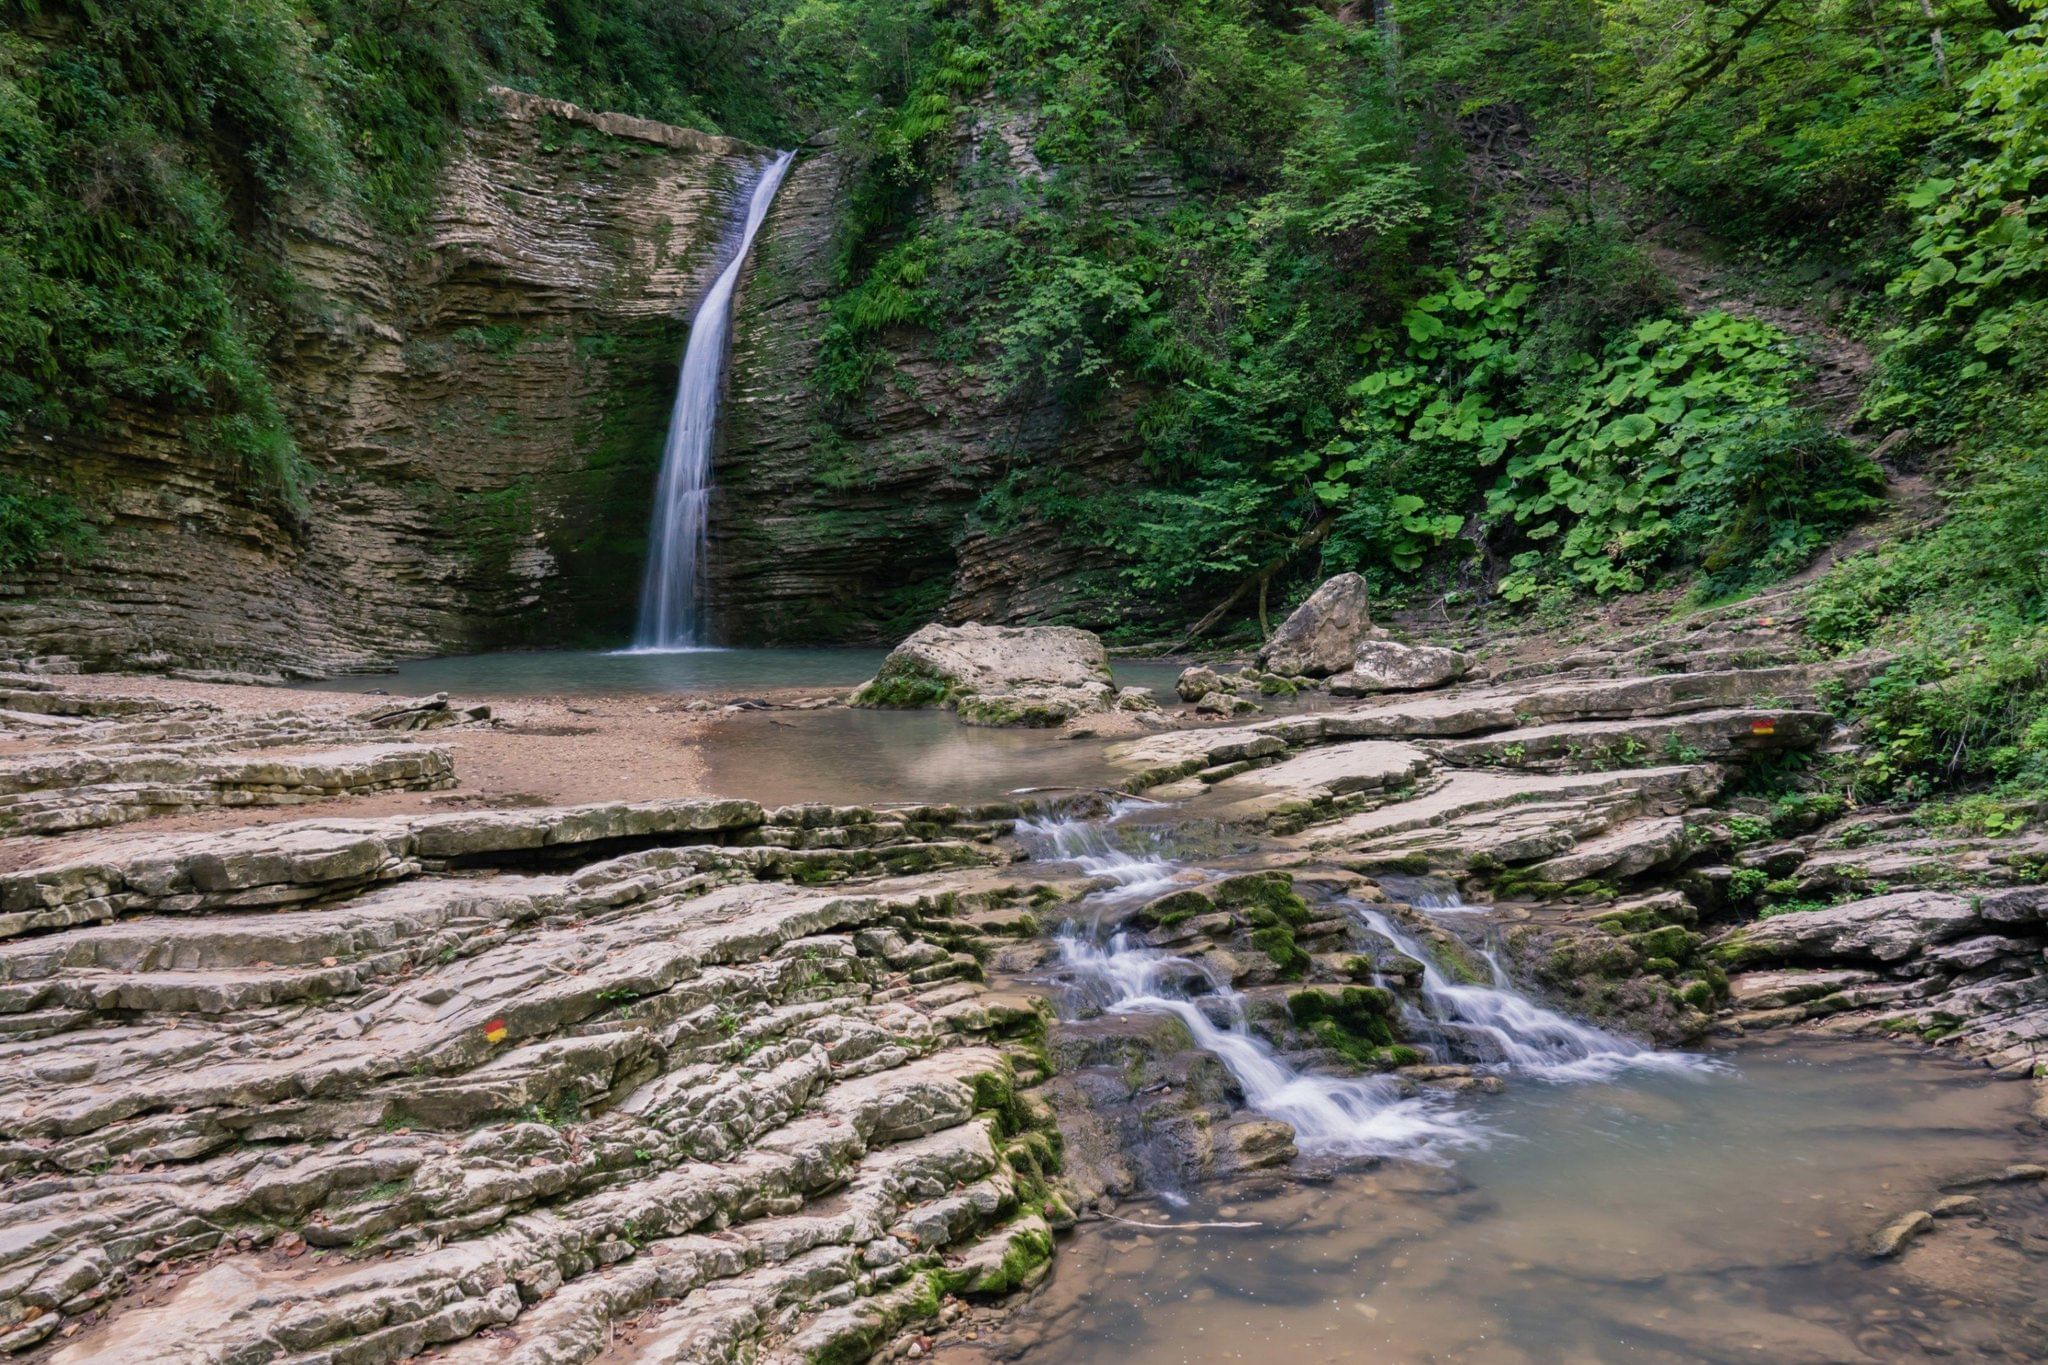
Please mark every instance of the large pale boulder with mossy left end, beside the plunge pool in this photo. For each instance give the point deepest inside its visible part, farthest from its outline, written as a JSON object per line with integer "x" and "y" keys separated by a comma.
{"x": 996, "y": 674}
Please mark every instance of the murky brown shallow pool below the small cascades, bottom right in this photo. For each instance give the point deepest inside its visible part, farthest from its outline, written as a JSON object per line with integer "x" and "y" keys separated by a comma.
{"x": 1656, "y": 1219}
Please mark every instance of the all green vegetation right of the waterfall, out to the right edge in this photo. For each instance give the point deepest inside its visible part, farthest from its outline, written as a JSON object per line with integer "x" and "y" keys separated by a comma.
{"x": 1400, "y": 312}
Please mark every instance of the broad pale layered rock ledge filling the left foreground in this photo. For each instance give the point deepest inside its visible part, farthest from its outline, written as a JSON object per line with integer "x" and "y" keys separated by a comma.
{"x": 681, "y": 1082}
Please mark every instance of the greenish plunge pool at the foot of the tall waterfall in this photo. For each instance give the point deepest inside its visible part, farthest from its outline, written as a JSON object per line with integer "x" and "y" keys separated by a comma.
{"x": 570, "y": 672}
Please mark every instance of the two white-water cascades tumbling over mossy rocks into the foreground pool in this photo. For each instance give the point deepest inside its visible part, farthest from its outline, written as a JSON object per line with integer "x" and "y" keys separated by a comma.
{"x": 1330, "y": 1114}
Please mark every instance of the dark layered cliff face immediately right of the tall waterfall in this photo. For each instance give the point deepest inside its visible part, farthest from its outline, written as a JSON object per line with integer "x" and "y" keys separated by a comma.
{"x": 861, "y": 523}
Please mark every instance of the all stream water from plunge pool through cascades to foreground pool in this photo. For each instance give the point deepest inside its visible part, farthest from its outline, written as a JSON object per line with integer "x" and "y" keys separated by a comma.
{"x": 1609, "y": 1204}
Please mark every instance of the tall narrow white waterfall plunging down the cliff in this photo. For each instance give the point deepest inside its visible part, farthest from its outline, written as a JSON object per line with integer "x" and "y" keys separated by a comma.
{"x": 673, "y": 588}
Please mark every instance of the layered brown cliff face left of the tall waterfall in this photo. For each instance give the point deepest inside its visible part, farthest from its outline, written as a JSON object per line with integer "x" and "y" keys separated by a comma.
{"x": 482, "y": 410}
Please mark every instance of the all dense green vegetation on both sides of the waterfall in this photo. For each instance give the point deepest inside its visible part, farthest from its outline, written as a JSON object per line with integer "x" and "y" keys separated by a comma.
{"x": 1377, "y": 279}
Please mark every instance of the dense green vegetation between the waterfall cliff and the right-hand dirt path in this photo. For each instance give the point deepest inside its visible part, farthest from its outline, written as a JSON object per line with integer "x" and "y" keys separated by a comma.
{"x": 1367, "y": 333}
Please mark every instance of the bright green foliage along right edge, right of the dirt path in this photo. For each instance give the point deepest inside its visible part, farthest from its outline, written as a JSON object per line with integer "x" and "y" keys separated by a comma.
{"x": 1965, "y": 607}
